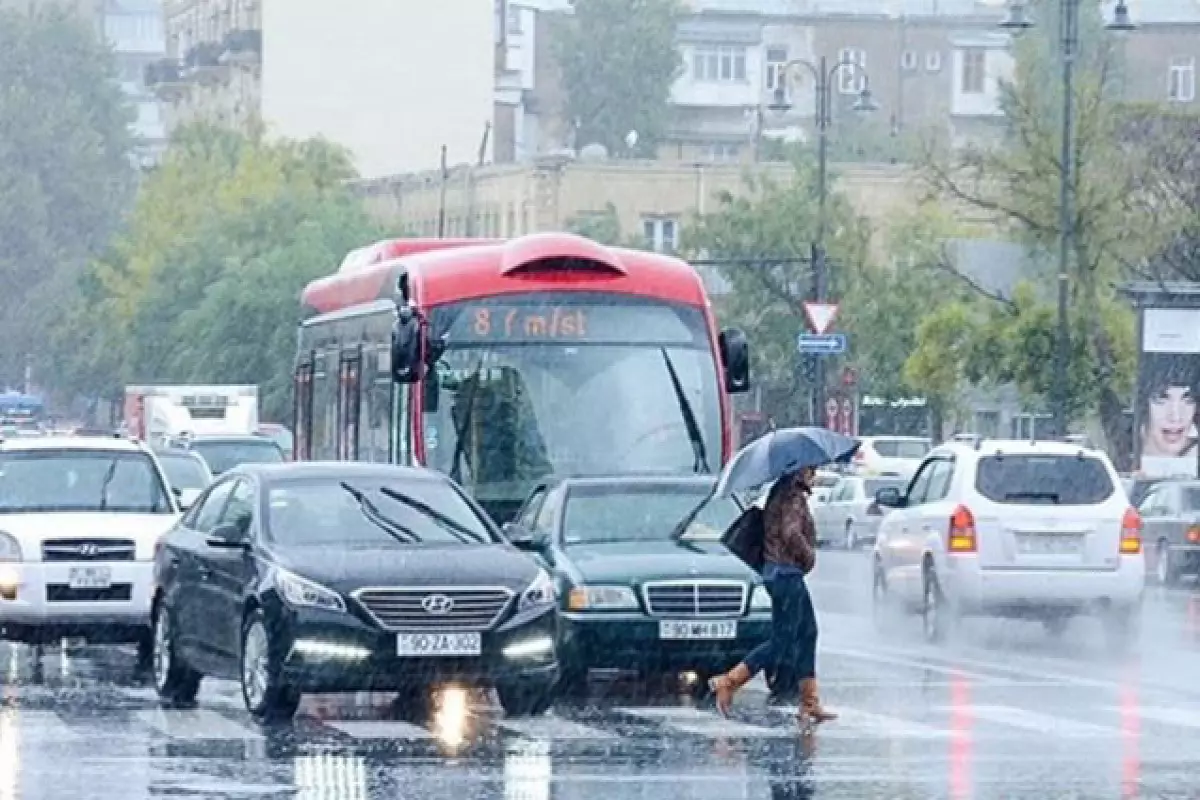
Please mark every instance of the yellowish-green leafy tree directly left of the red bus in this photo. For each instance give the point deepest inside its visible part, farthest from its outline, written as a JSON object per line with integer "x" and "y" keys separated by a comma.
{"x": 205, "y": 288}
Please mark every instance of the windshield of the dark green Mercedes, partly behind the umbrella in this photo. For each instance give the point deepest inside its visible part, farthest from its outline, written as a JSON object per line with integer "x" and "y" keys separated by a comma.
{"x": 626, "y": 514}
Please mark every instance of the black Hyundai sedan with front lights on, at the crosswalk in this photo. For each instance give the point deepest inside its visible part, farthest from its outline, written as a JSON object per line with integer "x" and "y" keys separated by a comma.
{"x": 332, "y": 578}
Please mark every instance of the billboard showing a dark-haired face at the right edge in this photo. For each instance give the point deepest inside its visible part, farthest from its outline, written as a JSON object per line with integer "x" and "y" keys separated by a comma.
{"x": 1168, "y": 387}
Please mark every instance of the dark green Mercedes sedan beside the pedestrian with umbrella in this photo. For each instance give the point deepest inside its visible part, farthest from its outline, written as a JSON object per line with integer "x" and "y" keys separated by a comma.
{"x": 632, "y": 598}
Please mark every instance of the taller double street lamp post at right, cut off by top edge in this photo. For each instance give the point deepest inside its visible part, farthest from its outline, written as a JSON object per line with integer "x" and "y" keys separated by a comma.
{"x": 1019, "y": 21}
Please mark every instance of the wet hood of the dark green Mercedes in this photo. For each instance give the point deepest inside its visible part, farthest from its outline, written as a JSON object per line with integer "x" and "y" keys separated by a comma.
{"x": 635, "y": 562}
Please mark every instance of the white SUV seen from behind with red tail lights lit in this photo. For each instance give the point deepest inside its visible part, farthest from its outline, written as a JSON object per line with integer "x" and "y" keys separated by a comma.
{"x": 1035, "y": 531}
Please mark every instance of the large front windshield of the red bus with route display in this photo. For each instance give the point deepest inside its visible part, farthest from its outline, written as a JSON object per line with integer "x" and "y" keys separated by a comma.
{"x": 569, "y": 384}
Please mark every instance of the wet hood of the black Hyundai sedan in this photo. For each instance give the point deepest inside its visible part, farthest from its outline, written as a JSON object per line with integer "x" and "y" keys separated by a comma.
{"x": 461, "y": 566}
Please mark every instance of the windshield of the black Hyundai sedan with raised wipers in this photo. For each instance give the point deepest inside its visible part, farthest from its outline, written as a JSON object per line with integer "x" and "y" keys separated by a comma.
{"x": 319, "y": 513}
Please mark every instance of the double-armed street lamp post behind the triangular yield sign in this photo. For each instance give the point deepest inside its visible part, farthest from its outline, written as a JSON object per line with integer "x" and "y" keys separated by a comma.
{"x": 824, "y": 76}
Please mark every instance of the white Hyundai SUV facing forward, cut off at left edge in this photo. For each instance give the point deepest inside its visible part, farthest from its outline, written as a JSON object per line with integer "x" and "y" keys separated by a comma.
{"x": 80, "y": 521}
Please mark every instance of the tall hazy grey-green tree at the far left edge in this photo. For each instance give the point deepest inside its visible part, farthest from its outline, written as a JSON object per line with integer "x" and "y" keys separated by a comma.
{"x": 65, "y": 173}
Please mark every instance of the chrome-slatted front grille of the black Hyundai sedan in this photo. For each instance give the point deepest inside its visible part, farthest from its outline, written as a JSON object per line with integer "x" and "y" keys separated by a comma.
{"x": 412, "y": 610}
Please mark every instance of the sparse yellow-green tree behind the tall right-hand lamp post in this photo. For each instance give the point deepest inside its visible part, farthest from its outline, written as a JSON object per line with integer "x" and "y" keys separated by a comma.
{"x": 1018, "y": 184}
